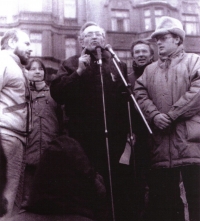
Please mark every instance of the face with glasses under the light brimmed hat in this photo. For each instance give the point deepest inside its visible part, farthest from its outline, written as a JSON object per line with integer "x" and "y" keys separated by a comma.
{"x": 167, "y": 44}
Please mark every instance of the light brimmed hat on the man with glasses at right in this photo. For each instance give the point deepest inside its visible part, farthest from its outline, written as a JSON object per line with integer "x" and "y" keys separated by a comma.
{"x": 168, "y": 25}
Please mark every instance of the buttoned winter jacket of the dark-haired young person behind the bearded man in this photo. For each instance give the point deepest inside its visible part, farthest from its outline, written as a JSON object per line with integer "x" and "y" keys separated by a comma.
{"x": 47, "y": 117}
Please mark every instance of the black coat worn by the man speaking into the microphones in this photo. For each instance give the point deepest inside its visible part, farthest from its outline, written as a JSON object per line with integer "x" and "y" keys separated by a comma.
{"x": 82, "y": 96}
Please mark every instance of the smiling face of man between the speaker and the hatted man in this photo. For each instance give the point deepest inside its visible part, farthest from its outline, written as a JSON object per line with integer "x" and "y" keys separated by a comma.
{"x": 142, "y": 54}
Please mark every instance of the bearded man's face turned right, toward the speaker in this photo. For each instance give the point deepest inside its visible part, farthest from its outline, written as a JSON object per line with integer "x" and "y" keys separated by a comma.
{"x": 22, "y": 48}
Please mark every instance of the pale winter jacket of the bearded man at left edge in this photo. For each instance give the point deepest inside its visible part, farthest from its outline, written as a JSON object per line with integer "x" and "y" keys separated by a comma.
{"x": 15, "y": 116}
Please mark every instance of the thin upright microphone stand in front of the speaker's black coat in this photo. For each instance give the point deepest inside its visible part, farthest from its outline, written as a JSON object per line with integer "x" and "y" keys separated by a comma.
{"x": 107, "y": 144}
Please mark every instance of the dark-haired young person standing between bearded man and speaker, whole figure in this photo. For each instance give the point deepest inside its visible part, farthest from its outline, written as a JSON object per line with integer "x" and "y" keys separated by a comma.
{"x": 47, "y": 118}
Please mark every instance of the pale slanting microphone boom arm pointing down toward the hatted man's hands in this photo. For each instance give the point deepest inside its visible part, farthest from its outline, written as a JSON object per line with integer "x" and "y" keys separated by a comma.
{"x": 131, "y": 95}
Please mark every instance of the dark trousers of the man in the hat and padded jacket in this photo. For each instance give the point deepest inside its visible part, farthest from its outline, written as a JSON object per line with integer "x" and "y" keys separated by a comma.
{"x": 165, "y": 202}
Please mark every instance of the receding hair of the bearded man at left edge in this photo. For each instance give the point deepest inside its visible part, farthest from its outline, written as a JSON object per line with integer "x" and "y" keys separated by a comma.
{"x": 10, "y": 34}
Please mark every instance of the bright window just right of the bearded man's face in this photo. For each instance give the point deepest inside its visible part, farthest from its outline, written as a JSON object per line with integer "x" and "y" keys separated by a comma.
{"x": 36, "y": 44}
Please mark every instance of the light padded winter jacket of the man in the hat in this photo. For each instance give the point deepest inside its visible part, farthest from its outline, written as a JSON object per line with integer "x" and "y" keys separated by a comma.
{"x": 172, "y": 86}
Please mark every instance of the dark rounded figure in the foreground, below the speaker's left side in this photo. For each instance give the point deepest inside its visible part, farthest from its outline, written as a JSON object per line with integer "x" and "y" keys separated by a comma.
{"x": 65, "y": 182}
